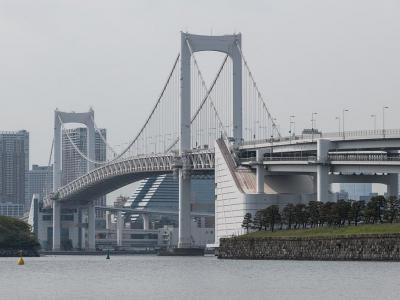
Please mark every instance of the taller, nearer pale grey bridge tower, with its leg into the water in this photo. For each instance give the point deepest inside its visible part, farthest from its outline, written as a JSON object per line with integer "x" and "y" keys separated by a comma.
{"x": 226, "y": 44}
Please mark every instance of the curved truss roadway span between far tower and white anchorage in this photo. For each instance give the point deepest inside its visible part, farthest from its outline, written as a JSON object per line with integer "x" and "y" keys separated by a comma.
{"x": 110, "y": 177}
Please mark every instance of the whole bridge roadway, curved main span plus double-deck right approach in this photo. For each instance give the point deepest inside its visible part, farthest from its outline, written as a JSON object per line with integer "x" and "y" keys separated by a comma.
{"x": 293, "y": 156}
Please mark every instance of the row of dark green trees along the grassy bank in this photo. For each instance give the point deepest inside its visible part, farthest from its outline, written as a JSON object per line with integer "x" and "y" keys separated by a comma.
{"x": 377, "y": 210}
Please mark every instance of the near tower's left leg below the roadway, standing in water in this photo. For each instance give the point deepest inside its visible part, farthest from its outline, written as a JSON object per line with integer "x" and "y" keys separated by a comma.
{"x": 184, "y": 211}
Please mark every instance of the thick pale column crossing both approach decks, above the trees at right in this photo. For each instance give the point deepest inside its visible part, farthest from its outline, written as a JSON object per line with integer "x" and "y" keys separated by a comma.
{"x": 322, "y": 170}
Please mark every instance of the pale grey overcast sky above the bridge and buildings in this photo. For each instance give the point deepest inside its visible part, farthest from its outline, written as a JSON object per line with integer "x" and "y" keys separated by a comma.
{"x": 319, "y": 56}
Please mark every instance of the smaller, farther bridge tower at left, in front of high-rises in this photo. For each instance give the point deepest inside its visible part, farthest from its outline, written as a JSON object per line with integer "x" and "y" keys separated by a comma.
{"x": 87, "y": 119}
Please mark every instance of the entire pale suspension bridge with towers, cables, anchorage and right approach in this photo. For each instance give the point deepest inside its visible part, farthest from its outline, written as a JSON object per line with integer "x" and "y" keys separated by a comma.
{"x": 223, "y": 127}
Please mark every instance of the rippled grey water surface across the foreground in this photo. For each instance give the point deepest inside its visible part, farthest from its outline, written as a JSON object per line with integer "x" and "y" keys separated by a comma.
{"x": 153, "y": 277}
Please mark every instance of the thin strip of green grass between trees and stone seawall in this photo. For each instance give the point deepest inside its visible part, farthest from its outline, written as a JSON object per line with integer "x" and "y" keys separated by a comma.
{"x": 328, "y": 231}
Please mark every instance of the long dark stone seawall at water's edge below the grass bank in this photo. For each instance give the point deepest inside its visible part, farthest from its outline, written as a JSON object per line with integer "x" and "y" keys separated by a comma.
{"x": 384, "y": 247}
